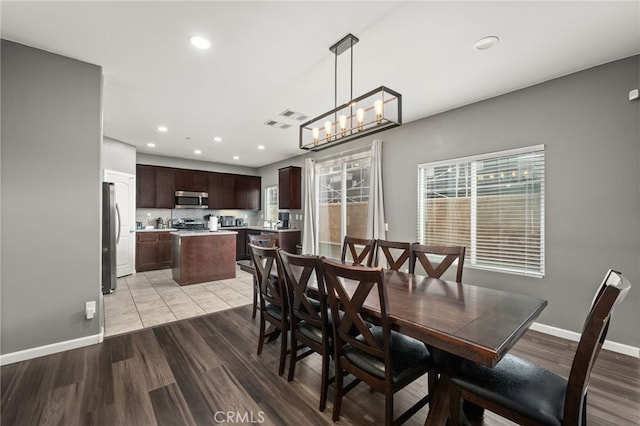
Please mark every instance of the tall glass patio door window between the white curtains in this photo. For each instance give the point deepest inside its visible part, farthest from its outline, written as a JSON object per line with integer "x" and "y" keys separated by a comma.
{"x": 343, "y": 195}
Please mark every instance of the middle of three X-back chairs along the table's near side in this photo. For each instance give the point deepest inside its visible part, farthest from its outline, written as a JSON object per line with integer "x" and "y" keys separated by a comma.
{"x": 310, "y": 326}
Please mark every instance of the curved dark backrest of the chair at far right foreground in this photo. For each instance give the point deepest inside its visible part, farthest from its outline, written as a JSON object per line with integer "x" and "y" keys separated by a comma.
{"x": 612, "y": 291}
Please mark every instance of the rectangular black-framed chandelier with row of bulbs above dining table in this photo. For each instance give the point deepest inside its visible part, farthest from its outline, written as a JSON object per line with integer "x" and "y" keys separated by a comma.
{"x": 375, "y": 111}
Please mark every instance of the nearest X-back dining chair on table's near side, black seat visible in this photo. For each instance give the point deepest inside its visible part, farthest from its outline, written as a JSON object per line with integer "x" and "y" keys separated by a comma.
{"x": 384, "y": 359}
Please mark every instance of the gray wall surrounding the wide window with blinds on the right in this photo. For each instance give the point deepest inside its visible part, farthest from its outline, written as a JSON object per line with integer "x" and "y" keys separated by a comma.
{"x": 592, "y": 138}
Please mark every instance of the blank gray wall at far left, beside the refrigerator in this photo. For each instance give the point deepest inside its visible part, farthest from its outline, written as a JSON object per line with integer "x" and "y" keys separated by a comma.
{"x": 51, "y": 195}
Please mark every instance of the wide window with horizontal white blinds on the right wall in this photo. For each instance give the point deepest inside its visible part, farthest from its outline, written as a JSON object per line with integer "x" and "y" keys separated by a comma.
{"x": 493, "y": 204}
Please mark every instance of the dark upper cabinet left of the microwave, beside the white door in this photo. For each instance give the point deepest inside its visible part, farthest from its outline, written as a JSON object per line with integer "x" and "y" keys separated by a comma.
{"x": 154, "y": 187}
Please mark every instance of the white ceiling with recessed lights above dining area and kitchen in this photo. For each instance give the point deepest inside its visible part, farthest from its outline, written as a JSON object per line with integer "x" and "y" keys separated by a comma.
{"x": 267, "y": 57}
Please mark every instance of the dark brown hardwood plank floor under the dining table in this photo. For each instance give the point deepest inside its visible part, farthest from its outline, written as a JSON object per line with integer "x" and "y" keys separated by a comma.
{"x": 204, "y": 370}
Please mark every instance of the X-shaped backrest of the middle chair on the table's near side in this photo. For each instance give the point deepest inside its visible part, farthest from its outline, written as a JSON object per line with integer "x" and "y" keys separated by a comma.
{"x": 299, "y": 271}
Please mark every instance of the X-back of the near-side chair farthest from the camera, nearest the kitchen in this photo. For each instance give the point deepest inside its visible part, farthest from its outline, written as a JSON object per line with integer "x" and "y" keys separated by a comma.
{"x": 269, "y": 276}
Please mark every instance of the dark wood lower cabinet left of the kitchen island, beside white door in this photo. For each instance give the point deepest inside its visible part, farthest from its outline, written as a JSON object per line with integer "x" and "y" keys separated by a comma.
{"x": 153, "y": 251}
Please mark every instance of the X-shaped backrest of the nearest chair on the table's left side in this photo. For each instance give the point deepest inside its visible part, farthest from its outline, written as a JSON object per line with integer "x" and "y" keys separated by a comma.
{"x": 369, "y": 280}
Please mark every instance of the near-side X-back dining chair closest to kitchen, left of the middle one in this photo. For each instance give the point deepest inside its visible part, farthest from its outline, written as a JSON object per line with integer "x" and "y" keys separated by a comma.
{"x": 274, "y": 301}
